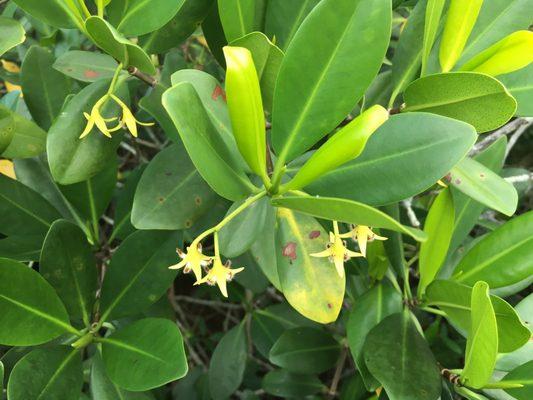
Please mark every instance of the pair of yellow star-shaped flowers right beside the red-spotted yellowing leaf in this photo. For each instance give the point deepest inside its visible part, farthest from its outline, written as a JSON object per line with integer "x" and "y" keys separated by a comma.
{"x": 337, "y": 250}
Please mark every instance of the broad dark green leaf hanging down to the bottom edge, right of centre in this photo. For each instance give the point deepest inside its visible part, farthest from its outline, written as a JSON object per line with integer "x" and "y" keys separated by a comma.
{"x": 397, "y": 355}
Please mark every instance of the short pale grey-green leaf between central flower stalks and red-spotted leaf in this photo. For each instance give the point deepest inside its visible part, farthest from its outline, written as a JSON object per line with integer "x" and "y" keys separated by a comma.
{"x": 238, "y": 235}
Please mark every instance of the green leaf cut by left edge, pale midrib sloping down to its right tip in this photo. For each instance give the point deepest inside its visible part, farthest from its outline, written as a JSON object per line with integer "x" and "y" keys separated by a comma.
{"x": 32, "y": 313}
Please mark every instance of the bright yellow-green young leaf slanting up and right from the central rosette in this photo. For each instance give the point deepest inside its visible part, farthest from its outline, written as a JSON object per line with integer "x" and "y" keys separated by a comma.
{"x": 342, "y": 147}
